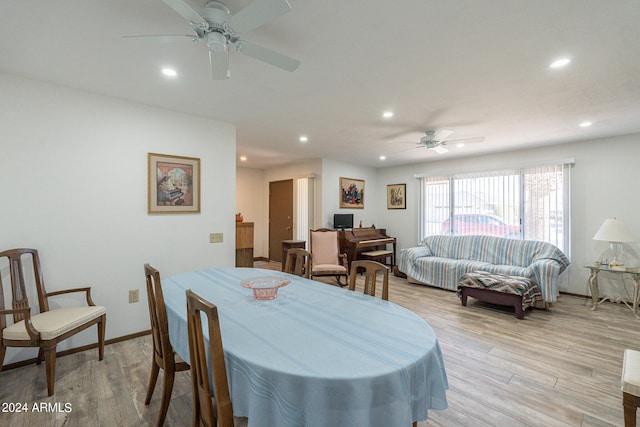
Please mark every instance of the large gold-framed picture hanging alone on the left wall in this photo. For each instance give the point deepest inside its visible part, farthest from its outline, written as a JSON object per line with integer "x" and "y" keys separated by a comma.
{"x": 174, "y": 184}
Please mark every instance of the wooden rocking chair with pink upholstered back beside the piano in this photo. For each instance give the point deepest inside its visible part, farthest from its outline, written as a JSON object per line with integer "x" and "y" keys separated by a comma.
{"x": 326, "y": 259}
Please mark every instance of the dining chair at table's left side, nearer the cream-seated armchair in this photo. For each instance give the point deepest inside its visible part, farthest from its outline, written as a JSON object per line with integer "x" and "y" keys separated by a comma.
{"x": 163, "y": 355}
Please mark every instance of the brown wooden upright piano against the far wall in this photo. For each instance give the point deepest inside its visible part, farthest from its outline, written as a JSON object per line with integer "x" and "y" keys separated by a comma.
{"x": 357, "y": 240}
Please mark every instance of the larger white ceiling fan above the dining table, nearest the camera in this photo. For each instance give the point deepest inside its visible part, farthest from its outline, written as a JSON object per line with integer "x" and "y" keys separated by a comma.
{"x": 214, "y": 25}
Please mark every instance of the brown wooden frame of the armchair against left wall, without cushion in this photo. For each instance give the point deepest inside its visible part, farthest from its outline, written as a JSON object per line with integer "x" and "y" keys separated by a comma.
{"x": 21, "y": 310}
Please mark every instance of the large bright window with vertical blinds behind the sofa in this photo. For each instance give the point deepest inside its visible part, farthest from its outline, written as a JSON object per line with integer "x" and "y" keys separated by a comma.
{"x": 528, "y": 203}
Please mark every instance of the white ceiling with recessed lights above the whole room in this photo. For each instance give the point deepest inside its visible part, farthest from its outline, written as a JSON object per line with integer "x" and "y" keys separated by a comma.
{"x": 478, "y": 67}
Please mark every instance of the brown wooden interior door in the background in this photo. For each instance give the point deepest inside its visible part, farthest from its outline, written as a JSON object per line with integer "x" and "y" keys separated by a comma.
{"x": 280, "y": 217}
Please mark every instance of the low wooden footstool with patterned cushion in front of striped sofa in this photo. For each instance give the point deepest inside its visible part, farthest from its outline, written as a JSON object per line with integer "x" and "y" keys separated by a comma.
{"x": 499, "y": 289}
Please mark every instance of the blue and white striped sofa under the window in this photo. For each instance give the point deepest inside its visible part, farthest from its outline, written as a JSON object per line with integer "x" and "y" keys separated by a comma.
{"x": 441, "y": 261}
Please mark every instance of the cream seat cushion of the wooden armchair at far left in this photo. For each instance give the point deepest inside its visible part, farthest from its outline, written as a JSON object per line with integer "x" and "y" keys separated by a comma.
{"x": 54, "y": 323}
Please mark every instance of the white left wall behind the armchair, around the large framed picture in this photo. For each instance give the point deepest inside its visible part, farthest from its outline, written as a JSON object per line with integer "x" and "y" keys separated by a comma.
{"x": 73, "y": 174}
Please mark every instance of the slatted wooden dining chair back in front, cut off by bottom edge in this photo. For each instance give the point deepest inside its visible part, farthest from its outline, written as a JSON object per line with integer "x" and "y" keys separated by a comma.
{"x": 204, "y": 411}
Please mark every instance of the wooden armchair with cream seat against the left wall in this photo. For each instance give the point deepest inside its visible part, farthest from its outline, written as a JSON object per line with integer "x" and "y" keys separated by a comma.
{"x": 48, "y": 327}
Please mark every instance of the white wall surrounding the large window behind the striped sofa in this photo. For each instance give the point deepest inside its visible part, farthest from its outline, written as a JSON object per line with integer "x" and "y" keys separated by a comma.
{"x": 604, "y": 184}
